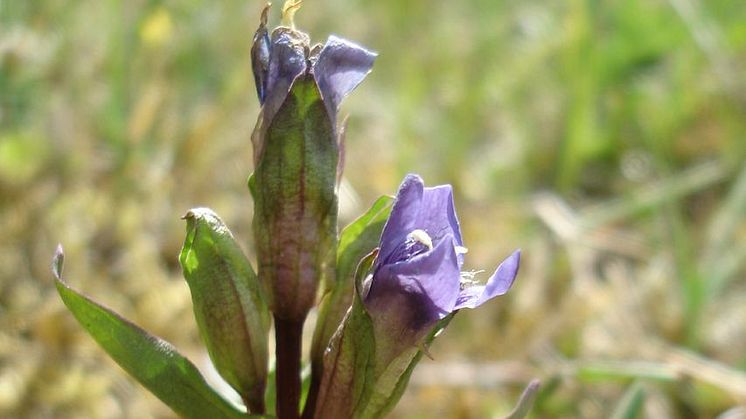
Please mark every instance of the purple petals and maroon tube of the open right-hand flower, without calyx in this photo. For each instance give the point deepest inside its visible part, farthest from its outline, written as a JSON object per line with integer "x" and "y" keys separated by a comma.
{"x": 417, "y": 278}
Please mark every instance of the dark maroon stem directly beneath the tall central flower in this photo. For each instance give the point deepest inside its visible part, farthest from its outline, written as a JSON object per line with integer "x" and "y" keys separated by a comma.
{"x": 288, "y": 337}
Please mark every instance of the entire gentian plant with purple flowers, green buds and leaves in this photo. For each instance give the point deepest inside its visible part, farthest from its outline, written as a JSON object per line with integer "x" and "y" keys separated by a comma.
{"x": 384, "y": 287}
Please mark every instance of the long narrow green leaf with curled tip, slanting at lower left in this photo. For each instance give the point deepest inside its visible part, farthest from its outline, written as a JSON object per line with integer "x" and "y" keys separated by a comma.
{"x": 150, "y": 360}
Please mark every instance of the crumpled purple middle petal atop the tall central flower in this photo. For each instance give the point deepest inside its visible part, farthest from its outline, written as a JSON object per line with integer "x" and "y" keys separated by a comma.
{"x": 287, "y": 60}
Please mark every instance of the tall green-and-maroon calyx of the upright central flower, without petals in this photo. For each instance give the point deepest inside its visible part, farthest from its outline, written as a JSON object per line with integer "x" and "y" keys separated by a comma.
{"x": 295, "y": 201}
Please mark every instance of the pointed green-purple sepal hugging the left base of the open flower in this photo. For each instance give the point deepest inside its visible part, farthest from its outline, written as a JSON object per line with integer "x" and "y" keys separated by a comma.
{"x": 349, "y": 361}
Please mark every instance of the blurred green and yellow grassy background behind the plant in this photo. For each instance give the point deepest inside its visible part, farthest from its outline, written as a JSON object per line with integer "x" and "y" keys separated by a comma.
{"x": 604, "y": 138}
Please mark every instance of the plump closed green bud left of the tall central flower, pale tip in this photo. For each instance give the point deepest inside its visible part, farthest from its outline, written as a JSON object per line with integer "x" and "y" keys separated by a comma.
{"x": 229, "y": 305}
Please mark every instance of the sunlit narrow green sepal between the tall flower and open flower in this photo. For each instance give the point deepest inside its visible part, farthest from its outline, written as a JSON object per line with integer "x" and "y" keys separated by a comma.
{"x": 358, "y": 239}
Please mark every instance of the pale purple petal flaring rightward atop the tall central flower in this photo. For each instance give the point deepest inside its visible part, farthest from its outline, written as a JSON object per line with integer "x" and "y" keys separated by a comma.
{"x": 340, "y": 67}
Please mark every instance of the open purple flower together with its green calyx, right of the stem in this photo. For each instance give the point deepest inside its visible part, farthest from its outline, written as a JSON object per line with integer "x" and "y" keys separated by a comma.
{"x": 416, "y": 282}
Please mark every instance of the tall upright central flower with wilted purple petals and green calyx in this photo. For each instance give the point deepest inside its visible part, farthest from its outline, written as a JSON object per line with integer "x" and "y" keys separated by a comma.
{"x": 296, "y": 153}
